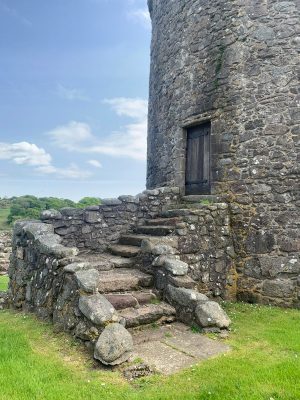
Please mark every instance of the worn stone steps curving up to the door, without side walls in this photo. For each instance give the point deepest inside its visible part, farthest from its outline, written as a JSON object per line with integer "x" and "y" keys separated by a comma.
{"x": 128, "y": 289}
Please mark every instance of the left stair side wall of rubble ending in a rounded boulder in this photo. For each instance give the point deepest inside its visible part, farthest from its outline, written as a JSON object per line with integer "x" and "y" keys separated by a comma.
{"x": 45, "y": 280}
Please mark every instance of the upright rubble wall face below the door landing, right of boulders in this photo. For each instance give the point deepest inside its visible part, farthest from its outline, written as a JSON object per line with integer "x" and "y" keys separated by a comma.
{"x": 205, "y": 244}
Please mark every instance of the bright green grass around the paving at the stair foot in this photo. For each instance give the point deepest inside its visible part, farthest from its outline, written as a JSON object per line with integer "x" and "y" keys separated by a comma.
{"x": 264, "y": 364}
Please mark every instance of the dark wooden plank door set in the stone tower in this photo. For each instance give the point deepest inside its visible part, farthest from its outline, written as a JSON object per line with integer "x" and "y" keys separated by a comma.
{"x": 197, "y": 180}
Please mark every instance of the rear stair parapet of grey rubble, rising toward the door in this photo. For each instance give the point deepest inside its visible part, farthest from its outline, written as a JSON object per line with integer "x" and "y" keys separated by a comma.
{"x": 97, "y": 226}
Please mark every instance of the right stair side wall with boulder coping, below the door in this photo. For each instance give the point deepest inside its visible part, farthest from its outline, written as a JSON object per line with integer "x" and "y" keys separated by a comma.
{"x": 192, "y": 262}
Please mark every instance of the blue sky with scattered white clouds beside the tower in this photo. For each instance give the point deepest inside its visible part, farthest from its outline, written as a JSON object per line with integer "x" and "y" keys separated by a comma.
{"x": 73, "y": 97}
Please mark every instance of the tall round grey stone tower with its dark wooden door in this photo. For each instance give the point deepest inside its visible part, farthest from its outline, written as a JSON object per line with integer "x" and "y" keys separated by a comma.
{"x": 224, "y": 118}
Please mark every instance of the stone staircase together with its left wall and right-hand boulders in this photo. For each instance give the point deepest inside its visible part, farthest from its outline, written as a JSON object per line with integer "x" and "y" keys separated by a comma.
{"x": 138, "y": 281}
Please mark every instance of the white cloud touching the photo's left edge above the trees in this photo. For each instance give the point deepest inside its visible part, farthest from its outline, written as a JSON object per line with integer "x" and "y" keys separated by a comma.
{"x": 24, "y": 153}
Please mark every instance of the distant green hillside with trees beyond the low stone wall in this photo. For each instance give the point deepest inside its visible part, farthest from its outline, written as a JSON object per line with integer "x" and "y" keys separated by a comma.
{"x": 30, "y": 207}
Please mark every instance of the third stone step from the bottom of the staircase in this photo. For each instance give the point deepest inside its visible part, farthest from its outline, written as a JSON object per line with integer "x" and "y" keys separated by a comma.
{"x": 123, "y": 280}
